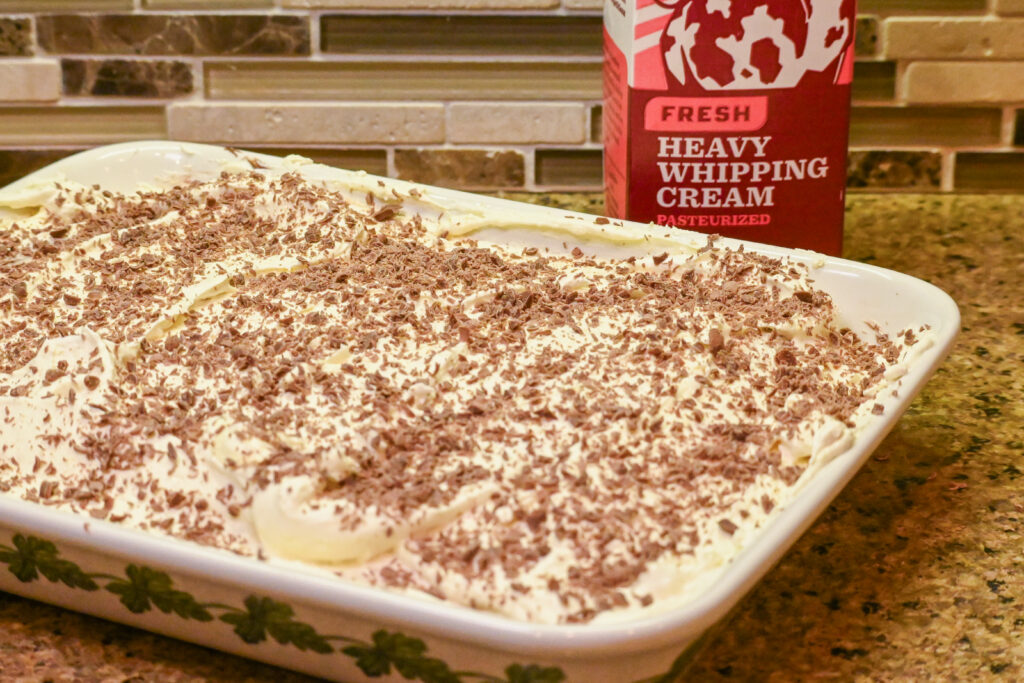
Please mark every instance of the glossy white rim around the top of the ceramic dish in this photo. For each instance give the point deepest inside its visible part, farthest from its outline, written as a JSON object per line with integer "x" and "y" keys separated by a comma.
{"x": 455, "y": 622}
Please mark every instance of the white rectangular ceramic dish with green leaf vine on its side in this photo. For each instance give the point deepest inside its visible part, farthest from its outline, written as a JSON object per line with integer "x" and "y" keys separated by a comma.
{"x": 335, "y": 630}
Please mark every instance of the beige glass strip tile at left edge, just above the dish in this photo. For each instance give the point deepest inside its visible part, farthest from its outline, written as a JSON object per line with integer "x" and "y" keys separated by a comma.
{"x": 79, "y": 125}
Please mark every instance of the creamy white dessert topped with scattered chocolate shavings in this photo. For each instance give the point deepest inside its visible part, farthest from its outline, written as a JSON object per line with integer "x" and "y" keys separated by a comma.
{"x": 285, "y": 369}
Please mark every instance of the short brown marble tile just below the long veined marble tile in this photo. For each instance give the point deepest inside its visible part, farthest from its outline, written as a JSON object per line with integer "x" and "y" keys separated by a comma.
{"x": 126, "y": 78}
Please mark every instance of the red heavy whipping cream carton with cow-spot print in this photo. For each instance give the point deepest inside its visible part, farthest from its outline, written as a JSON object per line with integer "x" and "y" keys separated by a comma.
{"x": 730, "y": 116}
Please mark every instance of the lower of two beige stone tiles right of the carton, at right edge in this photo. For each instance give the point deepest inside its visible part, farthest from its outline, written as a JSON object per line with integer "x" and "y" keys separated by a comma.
{"x": 964, "y": 82}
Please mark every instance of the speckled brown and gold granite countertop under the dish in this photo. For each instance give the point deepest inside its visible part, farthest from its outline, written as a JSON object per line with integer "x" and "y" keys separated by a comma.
{"x": 909, "y": 576}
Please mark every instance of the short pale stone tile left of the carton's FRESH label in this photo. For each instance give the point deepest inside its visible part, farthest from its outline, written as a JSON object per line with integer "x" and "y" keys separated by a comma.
{"x": 517, "y": 124}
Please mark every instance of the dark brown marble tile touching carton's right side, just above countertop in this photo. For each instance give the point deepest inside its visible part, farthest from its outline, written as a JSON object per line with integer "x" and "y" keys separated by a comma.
{"x": 905, "y": 170}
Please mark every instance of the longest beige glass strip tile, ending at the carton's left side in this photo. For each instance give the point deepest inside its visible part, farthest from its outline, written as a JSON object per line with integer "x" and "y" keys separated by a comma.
{"x": 404, "y": 80}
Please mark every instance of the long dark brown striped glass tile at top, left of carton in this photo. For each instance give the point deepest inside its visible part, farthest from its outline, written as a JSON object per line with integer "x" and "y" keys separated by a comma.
{"x": 454, "y": 34}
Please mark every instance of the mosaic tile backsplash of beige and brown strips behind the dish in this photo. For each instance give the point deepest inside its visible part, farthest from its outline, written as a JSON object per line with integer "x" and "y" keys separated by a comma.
{"x": 482, "y": 95}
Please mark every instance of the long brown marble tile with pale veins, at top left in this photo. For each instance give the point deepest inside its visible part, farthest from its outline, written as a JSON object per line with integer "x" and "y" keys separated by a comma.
{"x": 175, "y": 34}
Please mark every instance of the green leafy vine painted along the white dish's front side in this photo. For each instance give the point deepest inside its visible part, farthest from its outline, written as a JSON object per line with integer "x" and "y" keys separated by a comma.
{"x": 144, "y": 588}
